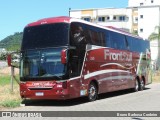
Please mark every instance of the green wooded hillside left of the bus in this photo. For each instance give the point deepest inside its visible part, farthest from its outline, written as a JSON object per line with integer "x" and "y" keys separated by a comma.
{"x": 12, "y": 42}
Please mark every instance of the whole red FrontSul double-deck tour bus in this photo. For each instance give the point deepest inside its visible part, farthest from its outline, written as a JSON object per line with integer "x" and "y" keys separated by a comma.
{"x": 64, "y": 58}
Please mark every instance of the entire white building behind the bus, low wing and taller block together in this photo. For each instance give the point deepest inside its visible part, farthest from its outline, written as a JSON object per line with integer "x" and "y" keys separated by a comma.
{"x": 141, "y": 17}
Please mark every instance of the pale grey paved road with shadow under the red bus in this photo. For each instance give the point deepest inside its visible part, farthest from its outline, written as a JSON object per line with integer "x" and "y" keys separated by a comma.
{"x": 146, "y": 100}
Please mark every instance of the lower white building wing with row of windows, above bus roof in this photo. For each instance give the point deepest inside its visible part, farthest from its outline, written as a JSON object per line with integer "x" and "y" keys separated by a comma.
{"x": 106, "y": 16}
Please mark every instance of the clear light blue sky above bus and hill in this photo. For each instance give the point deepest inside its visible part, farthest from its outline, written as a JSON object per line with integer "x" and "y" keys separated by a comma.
{"x": 16, "y": 14}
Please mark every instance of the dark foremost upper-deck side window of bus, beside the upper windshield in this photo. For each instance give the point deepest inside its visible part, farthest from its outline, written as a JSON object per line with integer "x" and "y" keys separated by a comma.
{"x": 83, "y": 34}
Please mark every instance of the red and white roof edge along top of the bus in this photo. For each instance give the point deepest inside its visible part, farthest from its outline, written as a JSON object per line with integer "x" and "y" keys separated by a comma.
{"x": 70, "y": 19}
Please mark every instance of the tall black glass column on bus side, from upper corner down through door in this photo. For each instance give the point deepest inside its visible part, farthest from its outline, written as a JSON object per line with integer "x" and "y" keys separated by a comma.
{"x": 78, "y": 39}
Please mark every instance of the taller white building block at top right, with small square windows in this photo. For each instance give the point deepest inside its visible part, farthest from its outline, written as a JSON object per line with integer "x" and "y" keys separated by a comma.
{"x": 148, "y": 18}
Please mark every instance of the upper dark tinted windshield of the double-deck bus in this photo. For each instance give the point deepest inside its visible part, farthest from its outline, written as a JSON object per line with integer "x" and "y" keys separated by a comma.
{"x": 45, "y": 36}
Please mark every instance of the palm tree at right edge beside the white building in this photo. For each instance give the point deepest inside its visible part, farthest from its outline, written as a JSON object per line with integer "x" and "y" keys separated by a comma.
{"x": 156, "y": 36}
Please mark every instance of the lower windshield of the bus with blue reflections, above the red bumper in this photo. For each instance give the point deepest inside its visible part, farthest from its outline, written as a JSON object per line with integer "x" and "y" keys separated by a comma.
{"x": 42, "y": 63}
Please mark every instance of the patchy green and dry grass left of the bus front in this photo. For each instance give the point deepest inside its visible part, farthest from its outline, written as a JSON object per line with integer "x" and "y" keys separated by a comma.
{"x": 9, "y": 99}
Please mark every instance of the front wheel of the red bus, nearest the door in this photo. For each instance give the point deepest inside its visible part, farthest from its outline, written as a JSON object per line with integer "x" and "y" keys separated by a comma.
{"x": 92, "y": 92}
